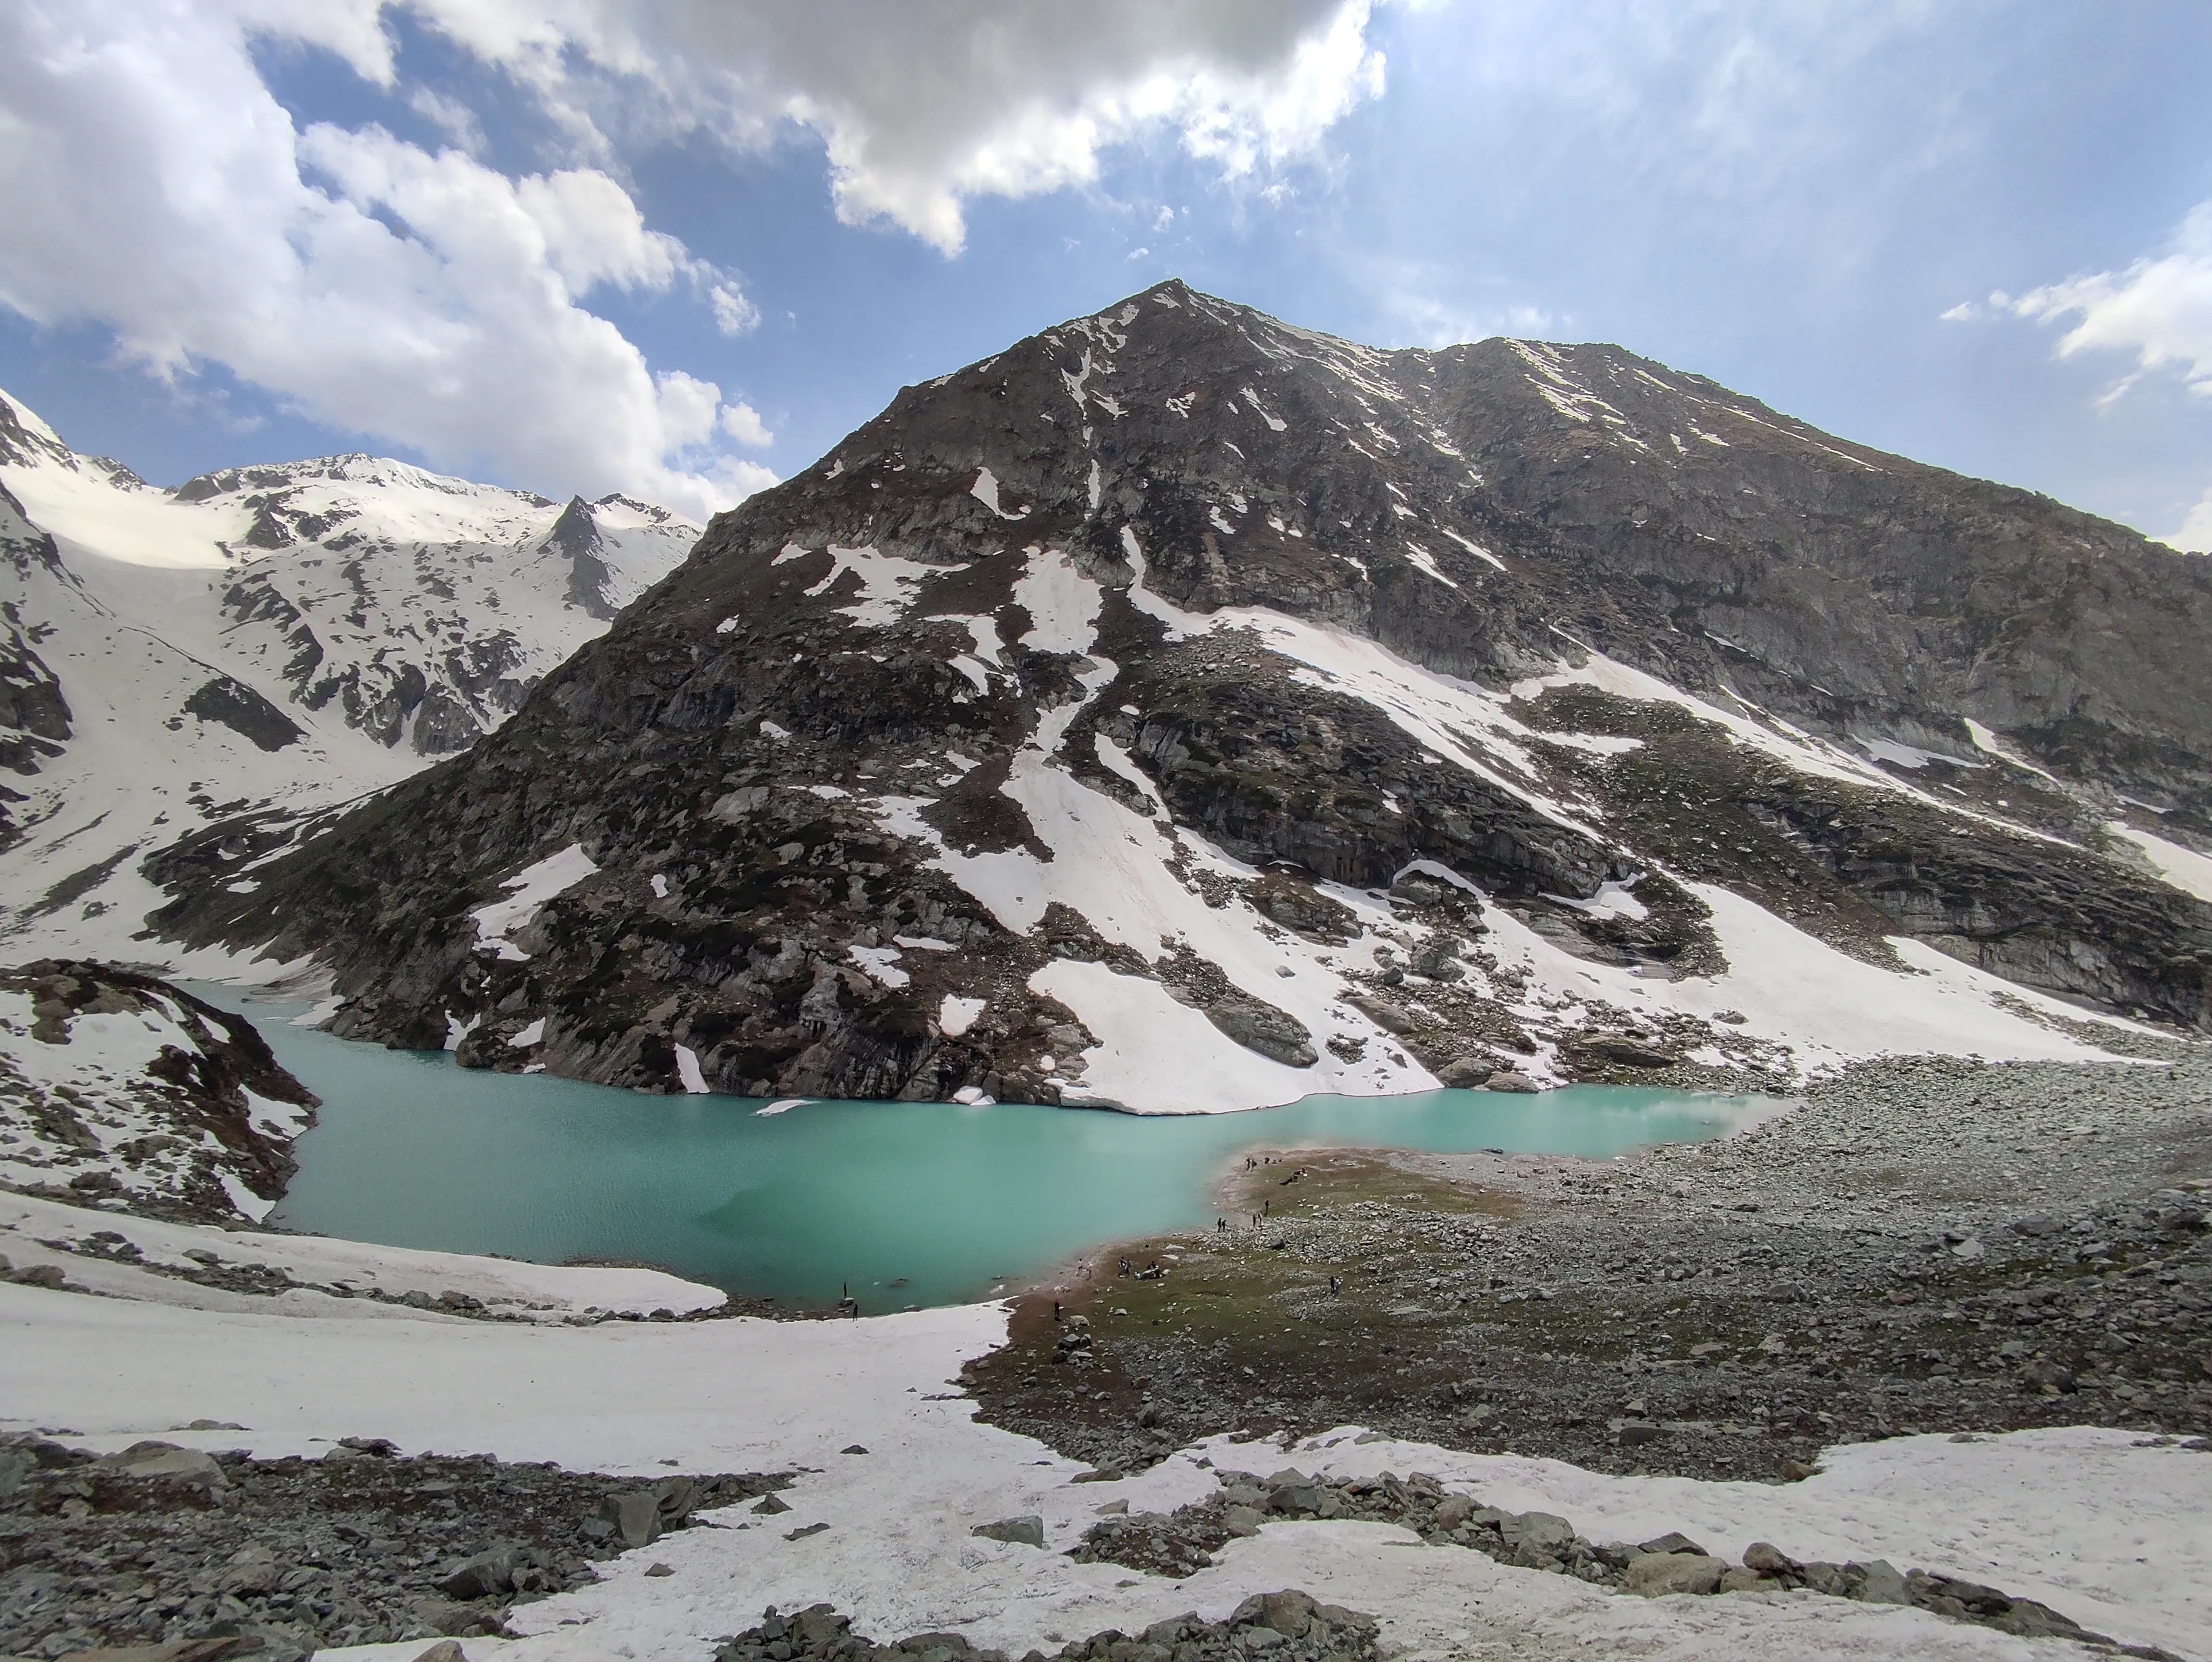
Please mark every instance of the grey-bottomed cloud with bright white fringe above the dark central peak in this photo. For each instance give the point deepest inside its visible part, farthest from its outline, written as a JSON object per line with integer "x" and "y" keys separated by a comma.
{"x": 924, "y": 110}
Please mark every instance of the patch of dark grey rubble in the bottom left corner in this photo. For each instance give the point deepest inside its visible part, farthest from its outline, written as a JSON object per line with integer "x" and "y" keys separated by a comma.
{"x": 357, "y": 1548}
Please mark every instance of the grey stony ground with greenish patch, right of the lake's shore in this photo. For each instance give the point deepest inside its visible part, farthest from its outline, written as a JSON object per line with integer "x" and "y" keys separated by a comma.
{"x": 1919, "y": 1247}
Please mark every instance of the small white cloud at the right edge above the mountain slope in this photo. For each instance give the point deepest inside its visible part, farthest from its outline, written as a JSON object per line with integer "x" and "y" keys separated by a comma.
{"x": 2158, "y": 311}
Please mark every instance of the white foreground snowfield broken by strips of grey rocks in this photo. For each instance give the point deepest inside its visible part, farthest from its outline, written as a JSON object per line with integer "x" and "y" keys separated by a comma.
{"x": 2098, "y": 1524}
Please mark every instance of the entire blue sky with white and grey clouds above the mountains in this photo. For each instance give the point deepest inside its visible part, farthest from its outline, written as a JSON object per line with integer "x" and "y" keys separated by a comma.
{"x": 680, "y": 251}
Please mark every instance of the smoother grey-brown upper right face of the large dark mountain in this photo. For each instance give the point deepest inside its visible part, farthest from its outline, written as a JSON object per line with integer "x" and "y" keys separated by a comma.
{"x": 1850, "y": 590}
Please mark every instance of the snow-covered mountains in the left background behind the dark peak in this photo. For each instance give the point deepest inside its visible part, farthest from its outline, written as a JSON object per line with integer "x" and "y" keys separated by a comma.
{"x": 260, "y": 645}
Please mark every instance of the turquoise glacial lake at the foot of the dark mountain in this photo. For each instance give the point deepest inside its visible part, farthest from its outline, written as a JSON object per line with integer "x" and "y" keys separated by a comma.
{"x": 906, "y": 1203}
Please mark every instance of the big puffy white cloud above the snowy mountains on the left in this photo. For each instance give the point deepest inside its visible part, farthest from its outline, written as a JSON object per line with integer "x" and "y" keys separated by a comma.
{"x": 154, "y": 185}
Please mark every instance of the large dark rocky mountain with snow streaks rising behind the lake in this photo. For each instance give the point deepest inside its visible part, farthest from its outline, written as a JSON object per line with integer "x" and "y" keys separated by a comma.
{"x": 1185, "y": 711}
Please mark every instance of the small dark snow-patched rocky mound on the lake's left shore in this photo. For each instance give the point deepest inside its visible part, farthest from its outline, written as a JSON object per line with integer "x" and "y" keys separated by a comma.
{"x": 118, "y": 1090}
